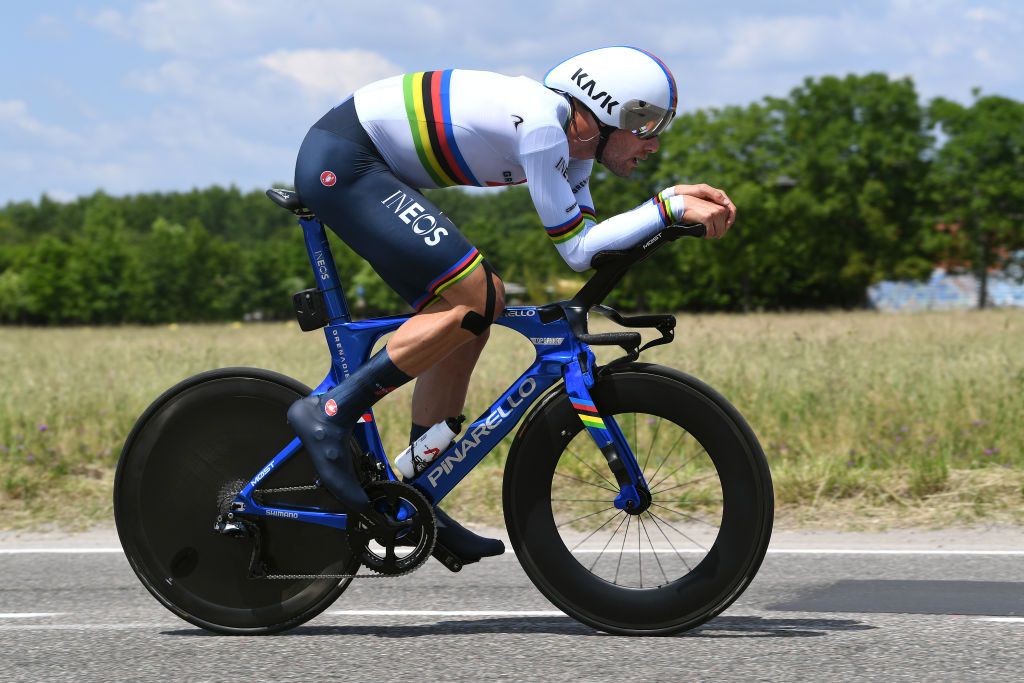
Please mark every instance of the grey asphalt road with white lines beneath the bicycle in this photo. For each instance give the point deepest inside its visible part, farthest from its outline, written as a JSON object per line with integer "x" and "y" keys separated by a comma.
{"x": 841, "y": 614}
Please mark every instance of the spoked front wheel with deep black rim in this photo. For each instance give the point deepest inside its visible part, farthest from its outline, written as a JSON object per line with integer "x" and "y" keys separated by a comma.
{"x": 670, "y": 566}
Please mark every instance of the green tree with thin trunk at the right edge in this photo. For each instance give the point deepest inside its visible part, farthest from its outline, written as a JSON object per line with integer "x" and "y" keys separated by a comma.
{"x": 978, "y": 176}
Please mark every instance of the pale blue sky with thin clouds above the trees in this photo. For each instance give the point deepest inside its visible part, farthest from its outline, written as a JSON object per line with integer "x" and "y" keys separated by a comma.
{"x": 160, "y": 96}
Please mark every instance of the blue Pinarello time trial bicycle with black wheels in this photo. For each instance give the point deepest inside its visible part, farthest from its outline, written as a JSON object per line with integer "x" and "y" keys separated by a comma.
{"x": 636, "y": 498}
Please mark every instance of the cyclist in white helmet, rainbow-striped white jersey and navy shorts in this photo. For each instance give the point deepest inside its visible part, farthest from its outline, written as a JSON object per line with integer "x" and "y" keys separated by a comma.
{"x": 361, "y": 167}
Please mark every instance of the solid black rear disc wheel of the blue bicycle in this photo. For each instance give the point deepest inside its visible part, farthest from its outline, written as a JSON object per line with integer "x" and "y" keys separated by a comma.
{"x": 187, "y": 457}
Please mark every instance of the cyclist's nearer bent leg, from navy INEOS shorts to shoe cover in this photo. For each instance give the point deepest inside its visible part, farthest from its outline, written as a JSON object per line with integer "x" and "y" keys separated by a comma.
{"x": 418, "y": 251}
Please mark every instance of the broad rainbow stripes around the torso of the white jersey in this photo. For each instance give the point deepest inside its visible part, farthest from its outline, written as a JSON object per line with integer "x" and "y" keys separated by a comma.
{"x": 429, "y": 106}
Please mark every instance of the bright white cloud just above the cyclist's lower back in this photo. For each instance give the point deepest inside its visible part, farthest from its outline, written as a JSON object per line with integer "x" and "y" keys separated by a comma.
{"x": 330, "y": 73}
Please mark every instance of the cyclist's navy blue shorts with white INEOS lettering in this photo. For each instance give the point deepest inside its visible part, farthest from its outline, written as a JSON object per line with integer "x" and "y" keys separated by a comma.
{"x": 415, "y": 248}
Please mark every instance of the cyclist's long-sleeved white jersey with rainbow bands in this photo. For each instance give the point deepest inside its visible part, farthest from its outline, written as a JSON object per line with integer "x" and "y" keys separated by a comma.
{"x": 455, "y": 127}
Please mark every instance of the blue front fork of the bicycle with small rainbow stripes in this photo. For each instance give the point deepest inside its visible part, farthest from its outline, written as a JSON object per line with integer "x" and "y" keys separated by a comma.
{"x": 634, "y": 494}
